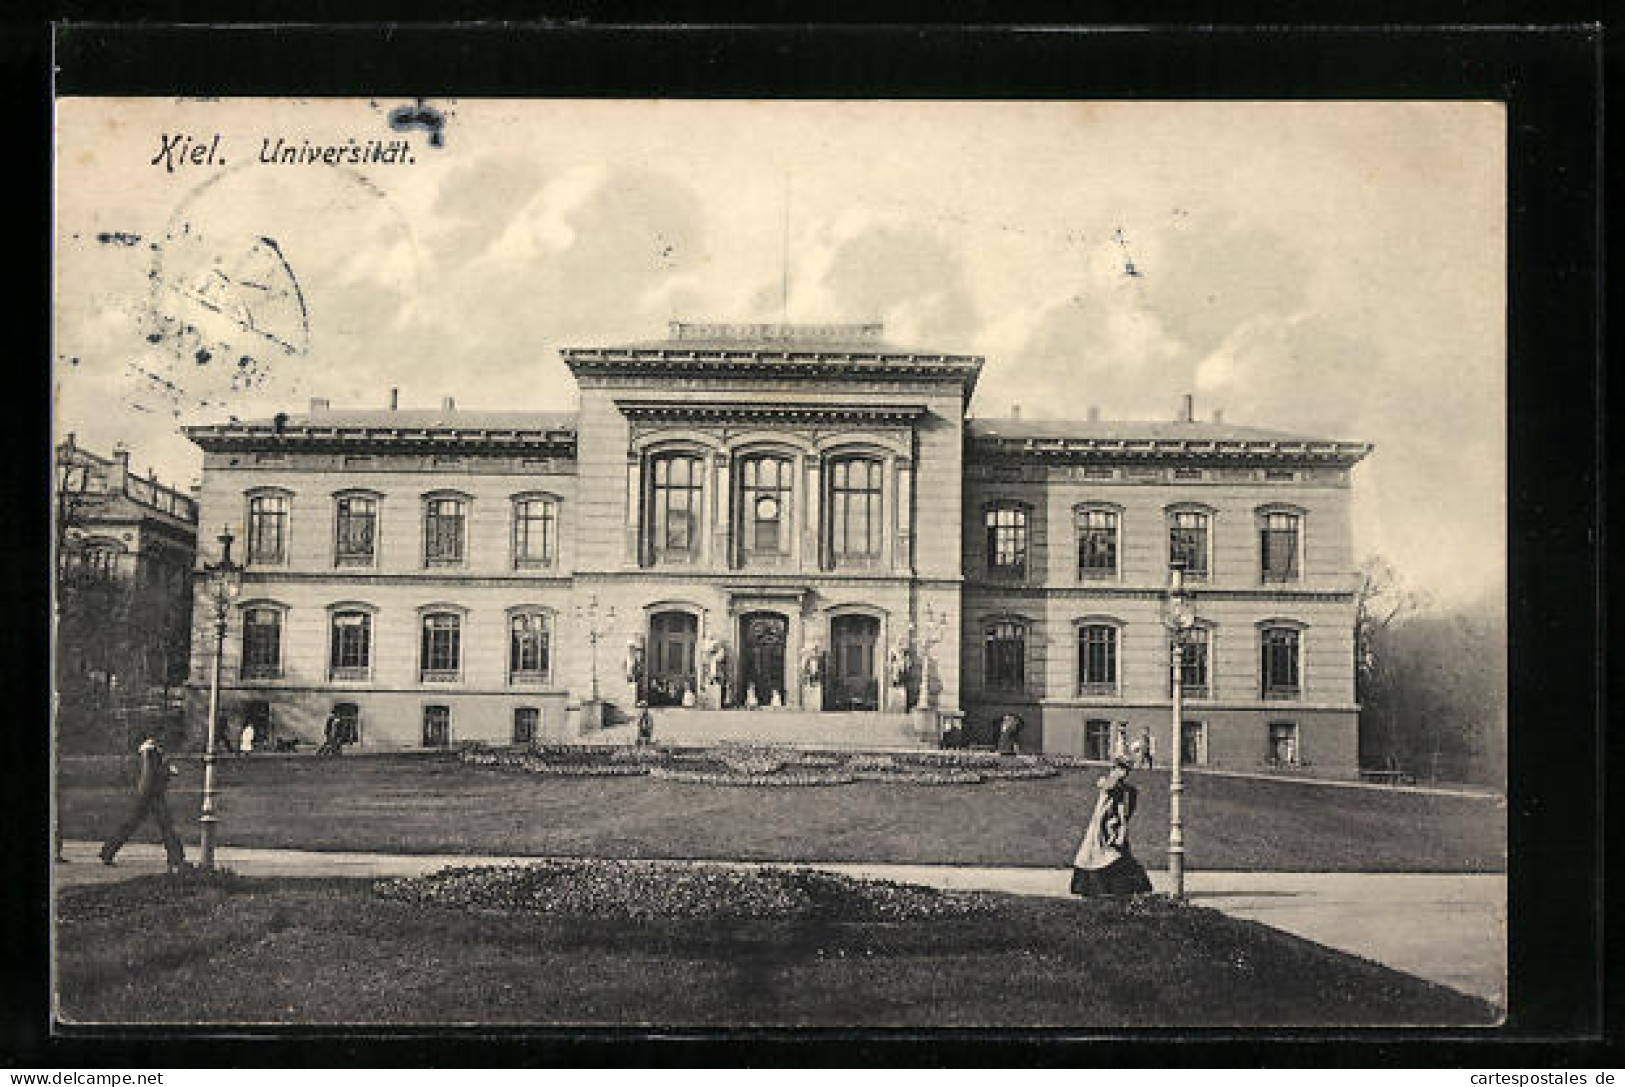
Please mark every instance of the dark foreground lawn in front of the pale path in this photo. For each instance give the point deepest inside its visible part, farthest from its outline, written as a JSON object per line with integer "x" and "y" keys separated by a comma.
{"x": 280, "y": 951}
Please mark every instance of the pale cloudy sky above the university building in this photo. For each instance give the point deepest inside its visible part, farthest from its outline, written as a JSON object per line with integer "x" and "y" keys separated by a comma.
{"x": 1325, "y": 269}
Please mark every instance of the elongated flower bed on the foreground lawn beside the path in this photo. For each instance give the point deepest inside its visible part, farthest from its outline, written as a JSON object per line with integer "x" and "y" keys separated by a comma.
{"x": 667, "y": 891}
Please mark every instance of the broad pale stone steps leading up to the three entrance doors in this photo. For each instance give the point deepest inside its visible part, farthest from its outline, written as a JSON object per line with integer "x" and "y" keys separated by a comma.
{"x": 791, "y": 729}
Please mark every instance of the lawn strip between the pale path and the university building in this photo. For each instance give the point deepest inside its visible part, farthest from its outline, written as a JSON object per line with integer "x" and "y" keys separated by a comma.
{"x": 436, "y": 805}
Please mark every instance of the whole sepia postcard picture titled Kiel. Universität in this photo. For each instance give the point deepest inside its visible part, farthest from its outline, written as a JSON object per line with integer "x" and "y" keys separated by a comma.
{"x": 779, "y": 563}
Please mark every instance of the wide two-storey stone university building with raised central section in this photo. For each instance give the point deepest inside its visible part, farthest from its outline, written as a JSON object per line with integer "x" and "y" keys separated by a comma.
{"x": 781, "y": 534}
